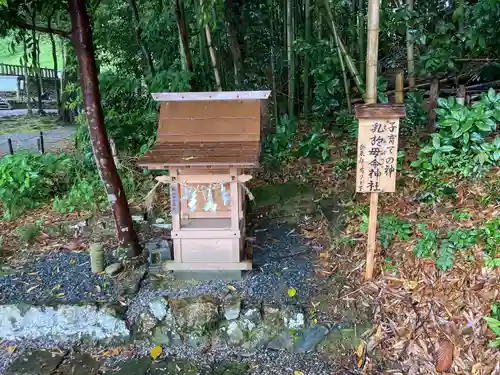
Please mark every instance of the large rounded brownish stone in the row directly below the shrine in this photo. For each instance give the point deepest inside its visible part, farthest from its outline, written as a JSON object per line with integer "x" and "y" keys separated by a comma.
{"x": 199, "y": 313}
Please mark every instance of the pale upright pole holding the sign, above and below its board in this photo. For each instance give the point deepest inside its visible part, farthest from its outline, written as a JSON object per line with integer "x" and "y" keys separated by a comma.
{"x": 371, "y": 98}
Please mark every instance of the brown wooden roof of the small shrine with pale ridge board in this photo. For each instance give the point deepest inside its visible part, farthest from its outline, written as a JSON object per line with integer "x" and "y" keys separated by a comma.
{"x": 207, "y": 129}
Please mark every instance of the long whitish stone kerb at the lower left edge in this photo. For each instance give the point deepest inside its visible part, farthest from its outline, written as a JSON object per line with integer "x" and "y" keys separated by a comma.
{"x": 65, "y": 323}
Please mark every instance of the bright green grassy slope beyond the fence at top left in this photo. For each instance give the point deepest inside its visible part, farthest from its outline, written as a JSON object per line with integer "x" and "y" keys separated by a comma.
{"x": 11, "y": 53}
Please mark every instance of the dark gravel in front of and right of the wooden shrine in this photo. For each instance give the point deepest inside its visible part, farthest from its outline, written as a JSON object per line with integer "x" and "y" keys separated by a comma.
{"x": 282, "y": 260}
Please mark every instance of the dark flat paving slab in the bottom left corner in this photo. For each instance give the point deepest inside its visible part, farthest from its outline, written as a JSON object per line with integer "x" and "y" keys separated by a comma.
{"x": 37, "y": 362}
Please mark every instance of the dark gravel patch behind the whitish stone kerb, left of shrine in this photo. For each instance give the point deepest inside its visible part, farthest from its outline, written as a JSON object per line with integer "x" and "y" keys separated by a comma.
{"x": 62, "y": 276}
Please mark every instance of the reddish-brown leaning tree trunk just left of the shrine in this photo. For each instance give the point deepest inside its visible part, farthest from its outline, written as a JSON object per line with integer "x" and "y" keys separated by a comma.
{"x": 82, "y": 42}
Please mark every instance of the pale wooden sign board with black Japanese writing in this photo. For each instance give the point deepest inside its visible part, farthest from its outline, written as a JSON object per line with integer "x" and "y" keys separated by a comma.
{"x": 377, "y": 155}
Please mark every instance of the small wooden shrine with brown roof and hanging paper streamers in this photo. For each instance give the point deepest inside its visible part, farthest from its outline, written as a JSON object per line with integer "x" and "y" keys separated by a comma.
{"x": 207, "y": 140}
